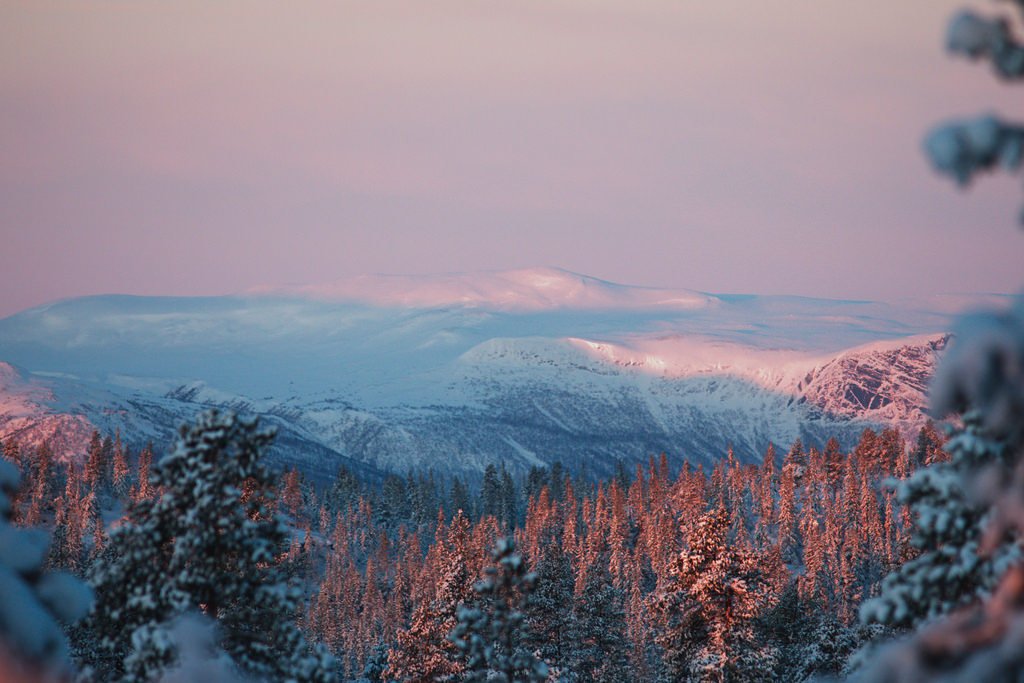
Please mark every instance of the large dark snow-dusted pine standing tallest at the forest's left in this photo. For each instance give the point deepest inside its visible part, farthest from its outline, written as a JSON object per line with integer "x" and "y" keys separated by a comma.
{"x": 209, "y": 544}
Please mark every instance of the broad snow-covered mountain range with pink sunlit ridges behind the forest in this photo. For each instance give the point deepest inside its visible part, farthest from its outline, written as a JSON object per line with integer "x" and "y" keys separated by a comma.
{"x": 453, "y": 372}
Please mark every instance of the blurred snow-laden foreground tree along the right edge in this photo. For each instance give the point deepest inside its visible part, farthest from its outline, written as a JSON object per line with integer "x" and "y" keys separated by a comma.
{"x": 970, "y": 521}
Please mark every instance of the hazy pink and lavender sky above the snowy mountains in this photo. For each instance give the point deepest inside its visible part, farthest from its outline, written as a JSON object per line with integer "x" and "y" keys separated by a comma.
{"x": 766, "y": 148}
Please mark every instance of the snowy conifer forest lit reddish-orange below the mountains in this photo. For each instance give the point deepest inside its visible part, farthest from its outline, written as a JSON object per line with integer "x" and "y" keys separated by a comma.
{"x": 665, "y": 573}
